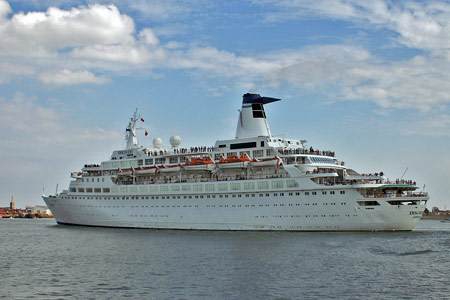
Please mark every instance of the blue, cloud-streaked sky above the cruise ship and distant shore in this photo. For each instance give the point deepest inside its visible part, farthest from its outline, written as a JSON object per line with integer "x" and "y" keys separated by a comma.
{"x": 369, "y": 80}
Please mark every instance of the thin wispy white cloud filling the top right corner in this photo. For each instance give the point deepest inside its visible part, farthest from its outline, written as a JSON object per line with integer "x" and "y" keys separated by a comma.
{"x": 424, "y": 25}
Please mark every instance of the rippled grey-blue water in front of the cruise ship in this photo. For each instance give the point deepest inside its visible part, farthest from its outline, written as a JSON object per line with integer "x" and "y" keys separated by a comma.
{"x": 41, "y": 260}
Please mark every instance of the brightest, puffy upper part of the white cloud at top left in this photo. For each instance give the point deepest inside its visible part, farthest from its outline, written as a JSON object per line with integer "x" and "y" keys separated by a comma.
{"x": 45, "y": 33}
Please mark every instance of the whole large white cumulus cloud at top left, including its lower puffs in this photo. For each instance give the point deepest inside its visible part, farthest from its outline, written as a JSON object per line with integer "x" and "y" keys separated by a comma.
{"x": 77, "y": 42}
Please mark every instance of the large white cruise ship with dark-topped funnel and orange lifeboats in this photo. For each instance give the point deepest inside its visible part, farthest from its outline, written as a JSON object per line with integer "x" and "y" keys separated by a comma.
{"x": 255, "y": 181}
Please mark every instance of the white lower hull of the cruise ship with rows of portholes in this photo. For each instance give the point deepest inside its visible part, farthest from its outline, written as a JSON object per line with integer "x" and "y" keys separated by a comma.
{"x": 281, "y": 209}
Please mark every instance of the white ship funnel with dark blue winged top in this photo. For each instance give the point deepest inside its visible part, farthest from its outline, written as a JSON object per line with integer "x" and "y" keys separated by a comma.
{"x": 252, "y": 118}
